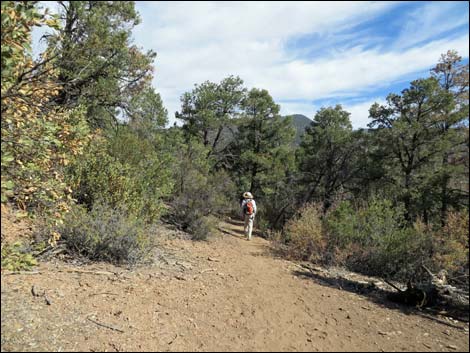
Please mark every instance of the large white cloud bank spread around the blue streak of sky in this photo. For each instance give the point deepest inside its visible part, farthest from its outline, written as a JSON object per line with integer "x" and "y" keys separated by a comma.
{"x": 198, "y": 41}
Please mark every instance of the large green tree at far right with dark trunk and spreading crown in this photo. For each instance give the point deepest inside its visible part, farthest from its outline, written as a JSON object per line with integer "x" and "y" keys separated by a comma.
{"x": 412, "y": 138}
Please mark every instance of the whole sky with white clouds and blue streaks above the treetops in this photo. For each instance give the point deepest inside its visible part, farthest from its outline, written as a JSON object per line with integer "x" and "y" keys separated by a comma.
{"x": 306, "y": 54}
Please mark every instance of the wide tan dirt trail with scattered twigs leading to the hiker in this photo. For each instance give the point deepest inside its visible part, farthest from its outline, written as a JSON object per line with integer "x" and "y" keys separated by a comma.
{"x": 227, "y": 294}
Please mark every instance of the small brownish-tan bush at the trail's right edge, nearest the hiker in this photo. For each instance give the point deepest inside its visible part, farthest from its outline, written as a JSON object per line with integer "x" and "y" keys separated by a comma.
{"x": 304, "y": 234}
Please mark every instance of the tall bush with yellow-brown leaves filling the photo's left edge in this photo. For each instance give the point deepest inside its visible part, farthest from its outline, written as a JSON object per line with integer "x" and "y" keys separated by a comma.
{"x": 38, "y": 138}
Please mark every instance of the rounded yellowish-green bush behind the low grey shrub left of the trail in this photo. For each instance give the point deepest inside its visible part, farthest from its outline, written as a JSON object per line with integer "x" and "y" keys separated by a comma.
{"x": 123, "y": 171}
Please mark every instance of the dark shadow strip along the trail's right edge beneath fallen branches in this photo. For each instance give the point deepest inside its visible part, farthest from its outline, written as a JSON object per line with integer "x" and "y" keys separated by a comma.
{"x": 379, "y": 296}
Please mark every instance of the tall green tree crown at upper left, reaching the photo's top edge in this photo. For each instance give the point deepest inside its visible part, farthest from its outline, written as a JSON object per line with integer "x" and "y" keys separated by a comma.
{"x": 98, "y": 65}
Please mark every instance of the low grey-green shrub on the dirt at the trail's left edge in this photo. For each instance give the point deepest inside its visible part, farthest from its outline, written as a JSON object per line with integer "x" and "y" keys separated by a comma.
{"x": 107, "y": 234}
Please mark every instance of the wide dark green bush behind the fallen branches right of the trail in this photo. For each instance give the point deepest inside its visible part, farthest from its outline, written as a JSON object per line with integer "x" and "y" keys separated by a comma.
{"x": 375, "y": 240}
